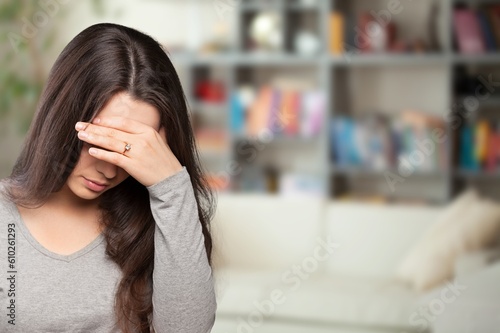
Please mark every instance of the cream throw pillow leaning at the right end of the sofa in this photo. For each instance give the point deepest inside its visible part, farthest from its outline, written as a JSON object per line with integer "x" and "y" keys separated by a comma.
{"x": 468, "y": 224}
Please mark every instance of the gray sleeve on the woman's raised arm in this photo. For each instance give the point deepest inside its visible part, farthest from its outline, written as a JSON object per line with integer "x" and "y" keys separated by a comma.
{"x": 183, "y": 288}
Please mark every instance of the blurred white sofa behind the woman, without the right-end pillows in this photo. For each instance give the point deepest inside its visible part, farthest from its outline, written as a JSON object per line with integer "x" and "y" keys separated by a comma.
{"x": 274, "y": 273}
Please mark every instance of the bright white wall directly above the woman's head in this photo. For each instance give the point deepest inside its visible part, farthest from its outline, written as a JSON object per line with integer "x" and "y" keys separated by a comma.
{"x": 171, "y": 22}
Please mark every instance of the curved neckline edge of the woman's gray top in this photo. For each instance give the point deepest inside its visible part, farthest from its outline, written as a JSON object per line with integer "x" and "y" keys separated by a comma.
{"x": 38, "y": 246}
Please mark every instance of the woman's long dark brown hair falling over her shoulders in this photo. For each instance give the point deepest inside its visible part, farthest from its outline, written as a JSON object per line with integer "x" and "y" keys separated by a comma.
{"x": 98, "y": 63}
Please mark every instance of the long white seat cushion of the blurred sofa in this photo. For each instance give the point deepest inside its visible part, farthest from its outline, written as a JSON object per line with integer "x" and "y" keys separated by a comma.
{"x": 319, "y": 298}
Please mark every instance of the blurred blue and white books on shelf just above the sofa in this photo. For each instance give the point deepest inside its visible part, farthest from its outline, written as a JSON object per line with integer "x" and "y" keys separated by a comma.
{"x": 379, "y": 143}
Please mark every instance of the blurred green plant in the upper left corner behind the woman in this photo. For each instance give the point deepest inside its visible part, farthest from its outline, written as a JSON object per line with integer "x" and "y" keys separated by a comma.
{"x": 26, "y": 41}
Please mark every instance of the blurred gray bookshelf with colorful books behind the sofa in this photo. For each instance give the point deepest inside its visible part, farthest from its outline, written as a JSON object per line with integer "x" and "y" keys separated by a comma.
{"x": 351, "y": 109}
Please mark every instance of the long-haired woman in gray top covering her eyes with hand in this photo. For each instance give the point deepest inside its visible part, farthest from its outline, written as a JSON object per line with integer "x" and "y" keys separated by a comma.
{"x": 105, "y": 217}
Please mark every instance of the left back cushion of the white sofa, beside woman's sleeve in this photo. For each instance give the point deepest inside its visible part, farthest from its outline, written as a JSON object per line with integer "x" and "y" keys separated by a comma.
{"x": 265, "y": 231}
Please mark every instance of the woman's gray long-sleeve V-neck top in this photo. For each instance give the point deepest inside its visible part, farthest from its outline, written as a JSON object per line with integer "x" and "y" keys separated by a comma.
{"x": 42, "y": 291}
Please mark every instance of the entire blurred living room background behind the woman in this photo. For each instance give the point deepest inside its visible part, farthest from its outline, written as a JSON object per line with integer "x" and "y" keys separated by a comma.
{"x": 354, "y": 146}
